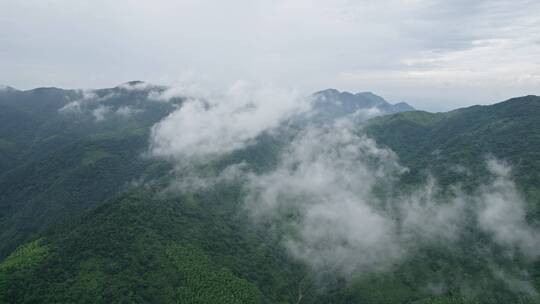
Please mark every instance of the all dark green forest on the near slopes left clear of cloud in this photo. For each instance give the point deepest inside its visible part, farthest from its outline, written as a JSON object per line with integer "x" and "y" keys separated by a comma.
{"x": 84, "y": 217}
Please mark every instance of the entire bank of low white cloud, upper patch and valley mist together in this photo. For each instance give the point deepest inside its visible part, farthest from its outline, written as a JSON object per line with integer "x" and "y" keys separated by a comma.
{"x": 335, "y": 196}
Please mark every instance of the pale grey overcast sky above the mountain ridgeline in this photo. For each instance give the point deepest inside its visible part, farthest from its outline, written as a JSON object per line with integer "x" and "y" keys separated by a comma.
{"x": 436, "y": 55}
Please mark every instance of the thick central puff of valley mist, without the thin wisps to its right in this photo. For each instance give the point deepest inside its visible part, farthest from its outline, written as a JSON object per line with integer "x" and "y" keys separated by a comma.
{"x": 325, "y": 181}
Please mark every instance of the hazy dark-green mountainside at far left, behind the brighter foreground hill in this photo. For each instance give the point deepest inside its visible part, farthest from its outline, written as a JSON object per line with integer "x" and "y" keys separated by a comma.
{"x": 57, "y": 159}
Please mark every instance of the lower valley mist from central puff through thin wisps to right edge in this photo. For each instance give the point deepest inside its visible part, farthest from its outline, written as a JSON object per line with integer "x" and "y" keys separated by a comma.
{"x": 334, "y": 192}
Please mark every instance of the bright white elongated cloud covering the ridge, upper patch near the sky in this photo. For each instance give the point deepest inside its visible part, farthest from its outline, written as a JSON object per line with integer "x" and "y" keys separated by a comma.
{"x": 217, "y": 124}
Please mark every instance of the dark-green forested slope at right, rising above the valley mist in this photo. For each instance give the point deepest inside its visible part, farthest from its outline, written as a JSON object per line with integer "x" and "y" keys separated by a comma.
{"x": 508, "y": 130}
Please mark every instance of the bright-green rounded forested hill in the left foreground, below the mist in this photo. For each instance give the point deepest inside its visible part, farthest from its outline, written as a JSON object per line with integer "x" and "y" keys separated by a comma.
{"x": 141, "y": 249}
